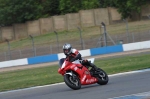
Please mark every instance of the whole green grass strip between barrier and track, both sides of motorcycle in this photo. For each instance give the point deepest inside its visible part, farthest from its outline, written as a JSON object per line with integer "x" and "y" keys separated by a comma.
{"x": 49, "y": 75}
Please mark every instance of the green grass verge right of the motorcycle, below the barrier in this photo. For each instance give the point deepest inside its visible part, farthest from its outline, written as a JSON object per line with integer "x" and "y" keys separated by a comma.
{"x": 128, "y": 63}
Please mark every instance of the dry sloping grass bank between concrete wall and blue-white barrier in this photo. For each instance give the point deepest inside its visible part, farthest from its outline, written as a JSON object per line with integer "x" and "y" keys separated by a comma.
{"x": 73, "y": 35}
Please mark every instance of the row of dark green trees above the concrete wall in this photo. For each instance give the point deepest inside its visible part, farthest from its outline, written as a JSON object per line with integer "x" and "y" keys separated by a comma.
{"x": 20, "y": 11}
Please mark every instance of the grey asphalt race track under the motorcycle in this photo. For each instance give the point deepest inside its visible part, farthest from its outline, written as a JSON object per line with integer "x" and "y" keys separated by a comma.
{"x": 119, "y": 85}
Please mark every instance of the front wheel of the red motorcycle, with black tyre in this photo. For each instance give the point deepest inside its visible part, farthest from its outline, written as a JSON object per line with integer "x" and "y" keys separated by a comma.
{"x": 72, "y": 81}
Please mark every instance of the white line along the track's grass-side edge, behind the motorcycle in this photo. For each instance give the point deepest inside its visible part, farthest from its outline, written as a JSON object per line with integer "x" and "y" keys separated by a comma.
{"x": 144, "y": 70}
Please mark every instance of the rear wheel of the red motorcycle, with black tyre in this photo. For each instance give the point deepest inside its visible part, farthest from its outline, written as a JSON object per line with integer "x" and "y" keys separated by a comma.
{"x": 102, "y": 77}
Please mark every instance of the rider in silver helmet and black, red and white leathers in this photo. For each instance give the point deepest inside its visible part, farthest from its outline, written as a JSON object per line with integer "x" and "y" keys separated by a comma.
{"x": 72, "y": 55}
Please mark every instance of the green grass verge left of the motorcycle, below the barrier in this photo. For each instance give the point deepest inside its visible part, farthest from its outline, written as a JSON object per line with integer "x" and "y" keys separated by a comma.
{"x": 29, "y": 78}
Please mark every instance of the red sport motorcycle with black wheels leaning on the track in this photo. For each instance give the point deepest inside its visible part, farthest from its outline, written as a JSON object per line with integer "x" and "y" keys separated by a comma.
{"x": 75, "y": 74}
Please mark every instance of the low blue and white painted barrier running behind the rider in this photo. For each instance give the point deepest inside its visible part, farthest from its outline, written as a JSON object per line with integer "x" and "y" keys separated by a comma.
{"x": 85, "y": 53}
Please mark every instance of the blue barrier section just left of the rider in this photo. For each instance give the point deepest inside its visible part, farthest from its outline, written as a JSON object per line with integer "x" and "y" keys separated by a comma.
{"x": 43, "y": 59}
